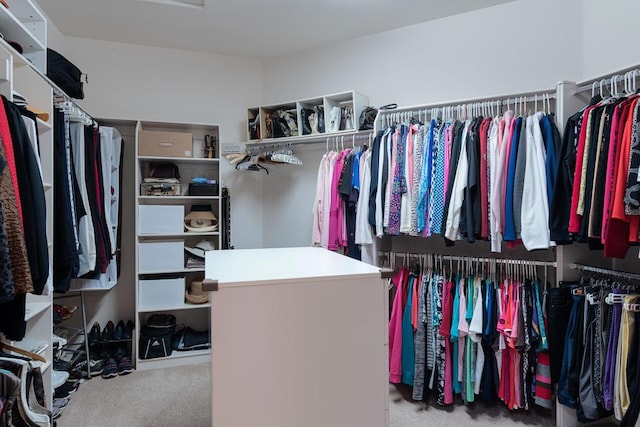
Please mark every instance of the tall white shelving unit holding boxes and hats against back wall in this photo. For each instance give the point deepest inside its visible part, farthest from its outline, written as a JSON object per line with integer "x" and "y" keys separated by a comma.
{"x": 197, "y": 316}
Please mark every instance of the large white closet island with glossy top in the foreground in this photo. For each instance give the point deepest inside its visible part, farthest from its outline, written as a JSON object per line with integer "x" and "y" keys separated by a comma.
{"x": 299, "y": 338}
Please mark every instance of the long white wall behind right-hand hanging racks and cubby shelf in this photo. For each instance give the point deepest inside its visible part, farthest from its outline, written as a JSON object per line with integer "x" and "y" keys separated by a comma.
{"x": 510, "y": 48}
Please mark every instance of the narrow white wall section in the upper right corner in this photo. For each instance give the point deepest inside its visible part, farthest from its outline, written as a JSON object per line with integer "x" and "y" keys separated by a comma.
{"x": 609, "y": 35}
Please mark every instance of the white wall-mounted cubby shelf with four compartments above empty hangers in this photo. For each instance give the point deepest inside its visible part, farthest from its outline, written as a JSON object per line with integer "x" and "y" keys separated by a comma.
{"x": 326, "y": 115}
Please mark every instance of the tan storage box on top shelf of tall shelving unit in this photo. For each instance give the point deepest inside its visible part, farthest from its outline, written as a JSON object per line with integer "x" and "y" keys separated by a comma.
{"x": 165, "y": 144}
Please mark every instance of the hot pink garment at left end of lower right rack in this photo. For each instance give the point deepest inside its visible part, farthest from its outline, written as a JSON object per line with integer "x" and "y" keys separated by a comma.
{"x": 395, "y": 328}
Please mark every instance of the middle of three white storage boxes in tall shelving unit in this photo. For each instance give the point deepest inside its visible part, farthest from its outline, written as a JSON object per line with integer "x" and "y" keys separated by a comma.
{"x": 159, "y": 257}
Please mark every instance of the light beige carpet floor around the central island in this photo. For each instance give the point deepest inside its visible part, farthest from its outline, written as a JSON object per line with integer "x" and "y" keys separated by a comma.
{"x": 177, "y": 397}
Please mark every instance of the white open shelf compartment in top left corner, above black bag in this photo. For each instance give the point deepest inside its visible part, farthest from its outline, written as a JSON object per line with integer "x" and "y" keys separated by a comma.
{"x": 23, "y": 23}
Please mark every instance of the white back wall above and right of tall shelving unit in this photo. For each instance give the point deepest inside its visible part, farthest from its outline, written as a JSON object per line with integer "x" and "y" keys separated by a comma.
{"x": 147, "y": 83}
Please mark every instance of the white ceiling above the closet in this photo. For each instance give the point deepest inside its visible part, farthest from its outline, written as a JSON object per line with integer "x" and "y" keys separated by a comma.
{"x": 252, "y": 28}
